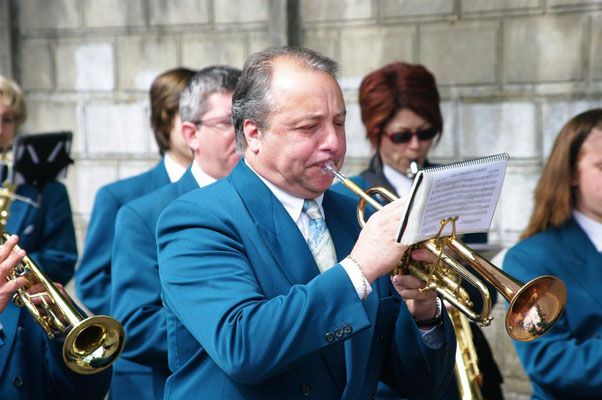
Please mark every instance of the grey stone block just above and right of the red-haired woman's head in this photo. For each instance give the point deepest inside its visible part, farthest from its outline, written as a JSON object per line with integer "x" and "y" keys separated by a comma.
{"x": 462, "y": 53}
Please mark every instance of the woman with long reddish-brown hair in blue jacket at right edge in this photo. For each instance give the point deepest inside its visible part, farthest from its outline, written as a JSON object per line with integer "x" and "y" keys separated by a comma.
{"x": 564, "y": 238}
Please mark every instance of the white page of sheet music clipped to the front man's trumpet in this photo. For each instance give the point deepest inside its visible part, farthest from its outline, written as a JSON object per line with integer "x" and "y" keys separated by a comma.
{"x": 470, "y": 192}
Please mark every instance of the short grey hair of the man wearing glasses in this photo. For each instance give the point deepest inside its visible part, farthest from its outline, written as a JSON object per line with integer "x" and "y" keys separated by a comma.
{"x": 216, "y": 78}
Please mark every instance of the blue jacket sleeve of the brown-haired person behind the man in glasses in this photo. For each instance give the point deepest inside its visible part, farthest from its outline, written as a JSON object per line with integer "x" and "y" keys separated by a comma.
{"x": 93, "y": 276}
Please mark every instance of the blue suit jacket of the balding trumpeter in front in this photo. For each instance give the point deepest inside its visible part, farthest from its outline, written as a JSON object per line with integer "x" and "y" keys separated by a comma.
{"x": 249, "y": 316}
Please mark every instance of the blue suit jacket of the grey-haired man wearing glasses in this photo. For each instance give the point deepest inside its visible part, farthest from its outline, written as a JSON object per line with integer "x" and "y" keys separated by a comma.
{"x": 136, "y": 299}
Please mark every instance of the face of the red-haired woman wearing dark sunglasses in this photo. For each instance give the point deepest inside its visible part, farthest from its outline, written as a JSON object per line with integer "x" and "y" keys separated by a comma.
{"x": 400, "y": 155}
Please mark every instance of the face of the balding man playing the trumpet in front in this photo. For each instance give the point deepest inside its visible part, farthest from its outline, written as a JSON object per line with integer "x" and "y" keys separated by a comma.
{"x": 307, "y": 129}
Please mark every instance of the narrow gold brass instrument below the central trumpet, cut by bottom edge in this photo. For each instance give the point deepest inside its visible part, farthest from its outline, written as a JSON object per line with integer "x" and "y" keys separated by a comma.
{"x": 468, "y": 375}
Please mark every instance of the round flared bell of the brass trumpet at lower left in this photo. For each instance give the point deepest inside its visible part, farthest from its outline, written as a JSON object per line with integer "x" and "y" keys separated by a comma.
{"x": 93, "y": 345}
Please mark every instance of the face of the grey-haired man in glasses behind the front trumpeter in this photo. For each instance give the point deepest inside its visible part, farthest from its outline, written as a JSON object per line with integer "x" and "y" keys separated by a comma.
{"x": 214, "y": 144}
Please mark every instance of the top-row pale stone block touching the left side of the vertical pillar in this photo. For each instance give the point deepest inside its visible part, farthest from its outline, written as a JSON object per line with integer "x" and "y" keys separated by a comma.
{"x": 240, "y": 11}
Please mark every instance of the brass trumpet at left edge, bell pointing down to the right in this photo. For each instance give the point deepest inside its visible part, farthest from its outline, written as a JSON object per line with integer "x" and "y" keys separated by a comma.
{"x": 91, "y": 344}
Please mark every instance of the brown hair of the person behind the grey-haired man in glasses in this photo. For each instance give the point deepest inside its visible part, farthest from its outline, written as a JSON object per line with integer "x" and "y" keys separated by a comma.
{"x": 165, "y": 97}
